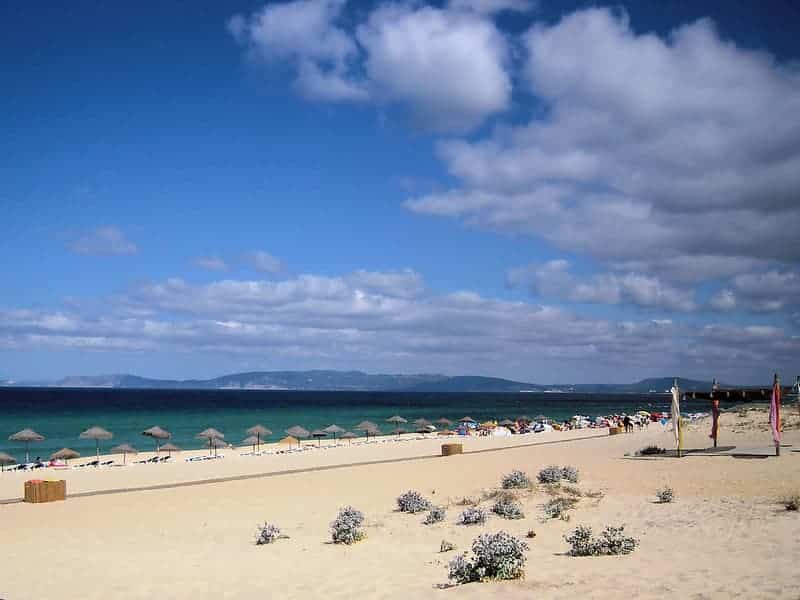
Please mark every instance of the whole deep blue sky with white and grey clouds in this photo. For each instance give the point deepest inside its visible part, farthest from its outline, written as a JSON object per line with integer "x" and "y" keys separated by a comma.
{"x": 546, "y": 191}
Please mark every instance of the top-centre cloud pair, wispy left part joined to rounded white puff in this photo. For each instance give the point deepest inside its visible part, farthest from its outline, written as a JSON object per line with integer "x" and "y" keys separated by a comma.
{"x": 391, "y": 57}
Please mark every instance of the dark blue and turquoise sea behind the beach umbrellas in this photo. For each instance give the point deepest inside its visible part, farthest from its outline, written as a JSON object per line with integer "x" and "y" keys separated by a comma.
{"x": 60, "y": 414}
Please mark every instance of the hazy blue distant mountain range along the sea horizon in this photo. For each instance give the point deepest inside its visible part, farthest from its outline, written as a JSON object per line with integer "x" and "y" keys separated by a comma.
{"x": 357, "y": 381}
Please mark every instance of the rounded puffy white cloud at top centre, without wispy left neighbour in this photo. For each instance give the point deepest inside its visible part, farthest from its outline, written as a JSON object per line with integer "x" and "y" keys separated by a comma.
{"x": 448, "y": 66}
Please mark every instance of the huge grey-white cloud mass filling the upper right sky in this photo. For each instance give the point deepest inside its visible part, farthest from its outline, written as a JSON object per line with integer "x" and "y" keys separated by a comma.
{"x": 651, "y": 151}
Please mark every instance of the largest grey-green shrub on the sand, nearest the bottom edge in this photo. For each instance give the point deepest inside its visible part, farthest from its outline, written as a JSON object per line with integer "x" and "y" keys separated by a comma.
{"x": 495, "y": 556}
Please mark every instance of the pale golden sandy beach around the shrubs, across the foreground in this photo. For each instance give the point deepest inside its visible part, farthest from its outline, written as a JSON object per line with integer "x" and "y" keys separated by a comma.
{"x": 724, "y": 536}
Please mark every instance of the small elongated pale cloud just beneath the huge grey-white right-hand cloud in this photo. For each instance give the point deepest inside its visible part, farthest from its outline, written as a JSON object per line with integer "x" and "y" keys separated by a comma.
{"x": 554, "y": 280}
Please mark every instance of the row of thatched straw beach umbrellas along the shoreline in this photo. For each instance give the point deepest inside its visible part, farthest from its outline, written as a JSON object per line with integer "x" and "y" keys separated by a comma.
{"x": 216, "y": 439}
